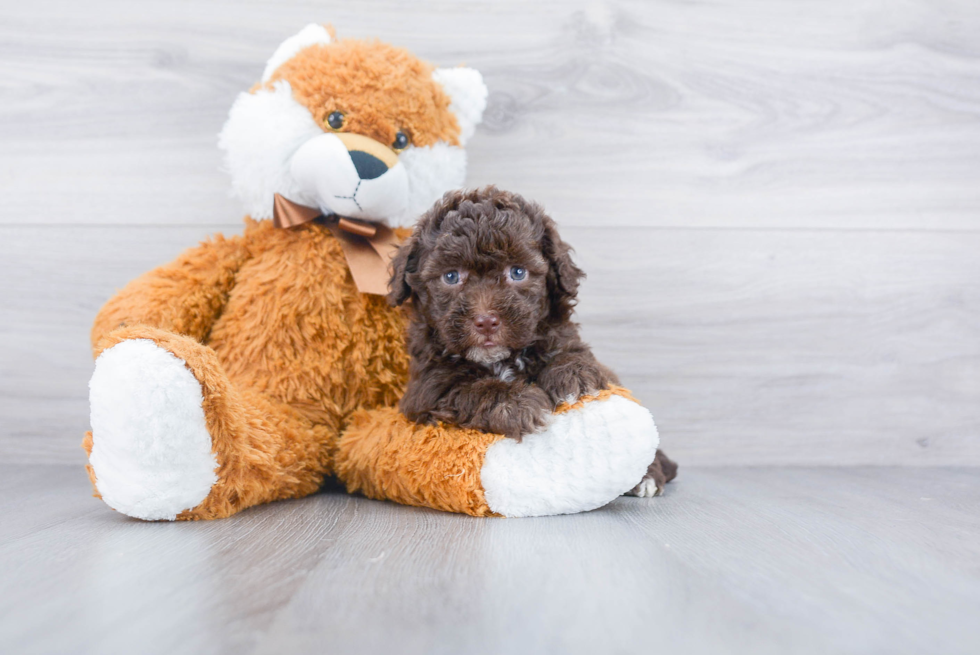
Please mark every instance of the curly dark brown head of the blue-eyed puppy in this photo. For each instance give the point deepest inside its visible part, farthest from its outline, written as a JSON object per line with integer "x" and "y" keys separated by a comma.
{"x": 487, "y": 272}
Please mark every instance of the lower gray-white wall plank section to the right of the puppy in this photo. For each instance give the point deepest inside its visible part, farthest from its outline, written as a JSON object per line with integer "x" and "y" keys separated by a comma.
{"x": 788, "y": 347}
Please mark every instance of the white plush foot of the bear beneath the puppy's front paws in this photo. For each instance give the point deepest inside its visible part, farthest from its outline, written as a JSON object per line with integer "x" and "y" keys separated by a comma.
{"x": 585, "y": 459}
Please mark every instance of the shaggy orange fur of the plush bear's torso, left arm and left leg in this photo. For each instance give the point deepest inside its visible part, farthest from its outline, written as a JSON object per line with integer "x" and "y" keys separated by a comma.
{"x": 283, "y": 344}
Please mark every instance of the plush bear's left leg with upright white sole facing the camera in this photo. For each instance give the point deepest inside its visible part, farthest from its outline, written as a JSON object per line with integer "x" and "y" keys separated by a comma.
{"x": 172, "y": 438}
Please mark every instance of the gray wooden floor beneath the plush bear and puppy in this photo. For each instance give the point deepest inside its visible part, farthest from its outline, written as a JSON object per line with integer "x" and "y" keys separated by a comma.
{"x": 739, "y": 560}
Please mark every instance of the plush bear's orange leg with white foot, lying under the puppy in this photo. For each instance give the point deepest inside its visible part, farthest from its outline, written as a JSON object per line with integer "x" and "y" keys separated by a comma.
{"x": 594, "y": 450}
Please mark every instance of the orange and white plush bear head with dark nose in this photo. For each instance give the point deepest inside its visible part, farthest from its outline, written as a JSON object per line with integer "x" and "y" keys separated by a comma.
{"x": 360, "y": 129}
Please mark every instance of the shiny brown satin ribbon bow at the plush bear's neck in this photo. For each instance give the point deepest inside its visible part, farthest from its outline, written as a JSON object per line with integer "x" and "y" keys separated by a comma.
{"x": 368, "y": 247}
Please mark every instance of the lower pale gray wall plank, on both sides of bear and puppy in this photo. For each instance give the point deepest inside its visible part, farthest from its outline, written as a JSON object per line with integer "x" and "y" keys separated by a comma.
{"x": 749, "y": 347}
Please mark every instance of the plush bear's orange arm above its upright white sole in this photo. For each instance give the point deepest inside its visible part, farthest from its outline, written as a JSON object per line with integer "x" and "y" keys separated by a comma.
{"x": 185, "y": 296}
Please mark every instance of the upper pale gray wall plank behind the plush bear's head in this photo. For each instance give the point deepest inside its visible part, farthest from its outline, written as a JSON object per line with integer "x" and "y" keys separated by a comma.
{"x": 744, "y": 114}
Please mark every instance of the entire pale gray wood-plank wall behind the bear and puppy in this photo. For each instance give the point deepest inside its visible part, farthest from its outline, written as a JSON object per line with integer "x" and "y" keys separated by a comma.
{"x": 778, "y": 204}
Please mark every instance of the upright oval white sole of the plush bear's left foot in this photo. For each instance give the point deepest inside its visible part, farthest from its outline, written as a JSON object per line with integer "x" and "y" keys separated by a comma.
{"x": 151, "y": 448}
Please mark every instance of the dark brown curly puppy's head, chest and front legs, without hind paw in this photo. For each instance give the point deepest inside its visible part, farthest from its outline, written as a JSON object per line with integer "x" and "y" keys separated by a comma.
{"x": 491, "y": 340}
